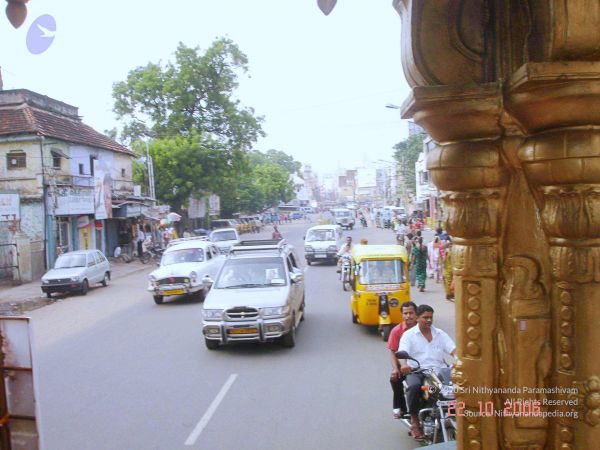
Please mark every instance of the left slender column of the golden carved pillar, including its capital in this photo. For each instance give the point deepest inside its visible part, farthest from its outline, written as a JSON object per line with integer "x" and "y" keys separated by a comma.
{"x": 468, "y": 168}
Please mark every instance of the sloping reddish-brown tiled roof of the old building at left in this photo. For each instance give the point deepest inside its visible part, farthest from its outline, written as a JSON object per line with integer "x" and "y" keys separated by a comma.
{"x": 26, "y": 119}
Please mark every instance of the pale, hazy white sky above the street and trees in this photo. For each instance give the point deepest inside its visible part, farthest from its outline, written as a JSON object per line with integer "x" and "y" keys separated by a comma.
{"x": 321, "y": 82}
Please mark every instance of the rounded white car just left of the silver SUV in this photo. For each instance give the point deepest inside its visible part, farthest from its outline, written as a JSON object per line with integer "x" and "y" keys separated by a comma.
{"x": 184, "y": 268}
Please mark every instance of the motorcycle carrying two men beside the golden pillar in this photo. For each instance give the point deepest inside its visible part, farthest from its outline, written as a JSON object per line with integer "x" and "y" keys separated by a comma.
{"x": 438, "y": 395}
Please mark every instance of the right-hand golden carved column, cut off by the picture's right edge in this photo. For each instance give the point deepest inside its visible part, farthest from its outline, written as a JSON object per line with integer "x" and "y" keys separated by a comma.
{"x": 561, "y": 159}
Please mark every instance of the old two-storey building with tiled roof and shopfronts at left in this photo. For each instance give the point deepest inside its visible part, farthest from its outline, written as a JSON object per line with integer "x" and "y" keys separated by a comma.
{"x": 68, "y": 178}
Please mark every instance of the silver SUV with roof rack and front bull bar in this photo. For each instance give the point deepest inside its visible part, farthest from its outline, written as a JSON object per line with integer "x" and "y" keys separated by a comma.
{"x": 258, "y": 296}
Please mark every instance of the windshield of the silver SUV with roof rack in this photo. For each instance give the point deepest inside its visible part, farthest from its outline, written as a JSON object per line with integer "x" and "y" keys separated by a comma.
{"x": 249, "y": 273}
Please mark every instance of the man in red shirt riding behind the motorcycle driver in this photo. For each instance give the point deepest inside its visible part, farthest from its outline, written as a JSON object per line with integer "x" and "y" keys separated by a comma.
{"x": 409, "y": 320}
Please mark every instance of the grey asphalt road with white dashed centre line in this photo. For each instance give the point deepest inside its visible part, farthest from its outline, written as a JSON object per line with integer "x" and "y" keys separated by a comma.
{"x": 116, "y": 371}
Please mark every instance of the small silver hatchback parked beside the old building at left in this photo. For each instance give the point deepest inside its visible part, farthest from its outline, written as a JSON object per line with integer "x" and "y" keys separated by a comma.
{"x": 76, "y": 271}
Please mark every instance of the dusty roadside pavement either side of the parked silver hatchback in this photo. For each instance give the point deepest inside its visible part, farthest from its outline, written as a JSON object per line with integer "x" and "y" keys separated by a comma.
{"x": 16, "y": 300}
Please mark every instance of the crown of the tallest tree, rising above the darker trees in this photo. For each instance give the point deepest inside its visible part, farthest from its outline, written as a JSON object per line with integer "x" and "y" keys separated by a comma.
{"x": 192, "y": 94}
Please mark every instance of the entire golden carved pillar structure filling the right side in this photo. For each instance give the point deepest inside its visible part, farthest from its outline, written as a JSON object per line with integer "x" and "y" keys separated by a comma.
{"x": 510, "y": 90}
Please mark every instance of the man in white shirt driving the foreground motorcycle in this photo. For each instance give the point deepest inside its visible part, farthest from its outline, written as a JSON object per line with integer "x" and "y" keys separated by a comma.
{"x": 428, "y": 345}
